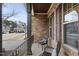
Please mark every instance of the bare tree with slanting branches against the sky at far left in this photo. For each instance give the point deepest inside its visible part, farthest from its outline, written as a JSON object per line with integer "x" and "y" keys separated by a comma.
{"x": 6, "y": 16}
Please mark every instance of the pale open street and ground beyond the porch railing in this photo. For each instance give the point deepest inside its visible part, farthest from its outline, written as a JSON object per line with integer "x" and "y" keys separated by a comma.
{"x": 12, "y": 40}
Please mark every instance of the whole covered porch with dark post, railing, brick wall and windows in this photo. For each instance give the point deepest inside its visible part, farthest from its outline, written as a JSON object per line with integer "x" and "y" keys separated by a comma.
{"x": 48, "y": 31}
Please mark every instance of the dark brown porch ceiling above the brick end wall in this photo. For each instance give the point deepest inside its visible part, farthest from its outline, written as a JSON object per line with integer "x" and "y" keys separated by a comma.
{"x": 41, "y": 7}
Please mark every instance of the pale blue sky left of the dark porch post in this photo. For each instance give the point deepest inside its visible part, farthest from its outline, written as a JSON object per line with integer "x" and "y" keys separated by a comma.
{"x": 17, "y": 7}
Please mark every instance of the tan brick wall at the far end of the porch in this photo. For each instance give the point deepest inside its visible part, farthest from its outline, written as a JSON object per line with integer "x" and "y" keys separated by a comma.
{"x": 39, "y": 26}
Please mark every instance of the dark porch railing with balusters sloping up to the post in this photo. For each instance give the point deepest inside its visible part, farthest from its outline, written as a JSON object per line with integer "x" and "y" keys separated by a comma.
{"x": 19, "y": 51}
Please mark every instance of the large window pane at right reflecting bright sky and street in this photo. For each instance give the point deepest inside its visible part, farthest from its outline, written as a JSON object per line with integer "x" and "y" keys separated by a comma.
{"x": 71, "y": 28}
